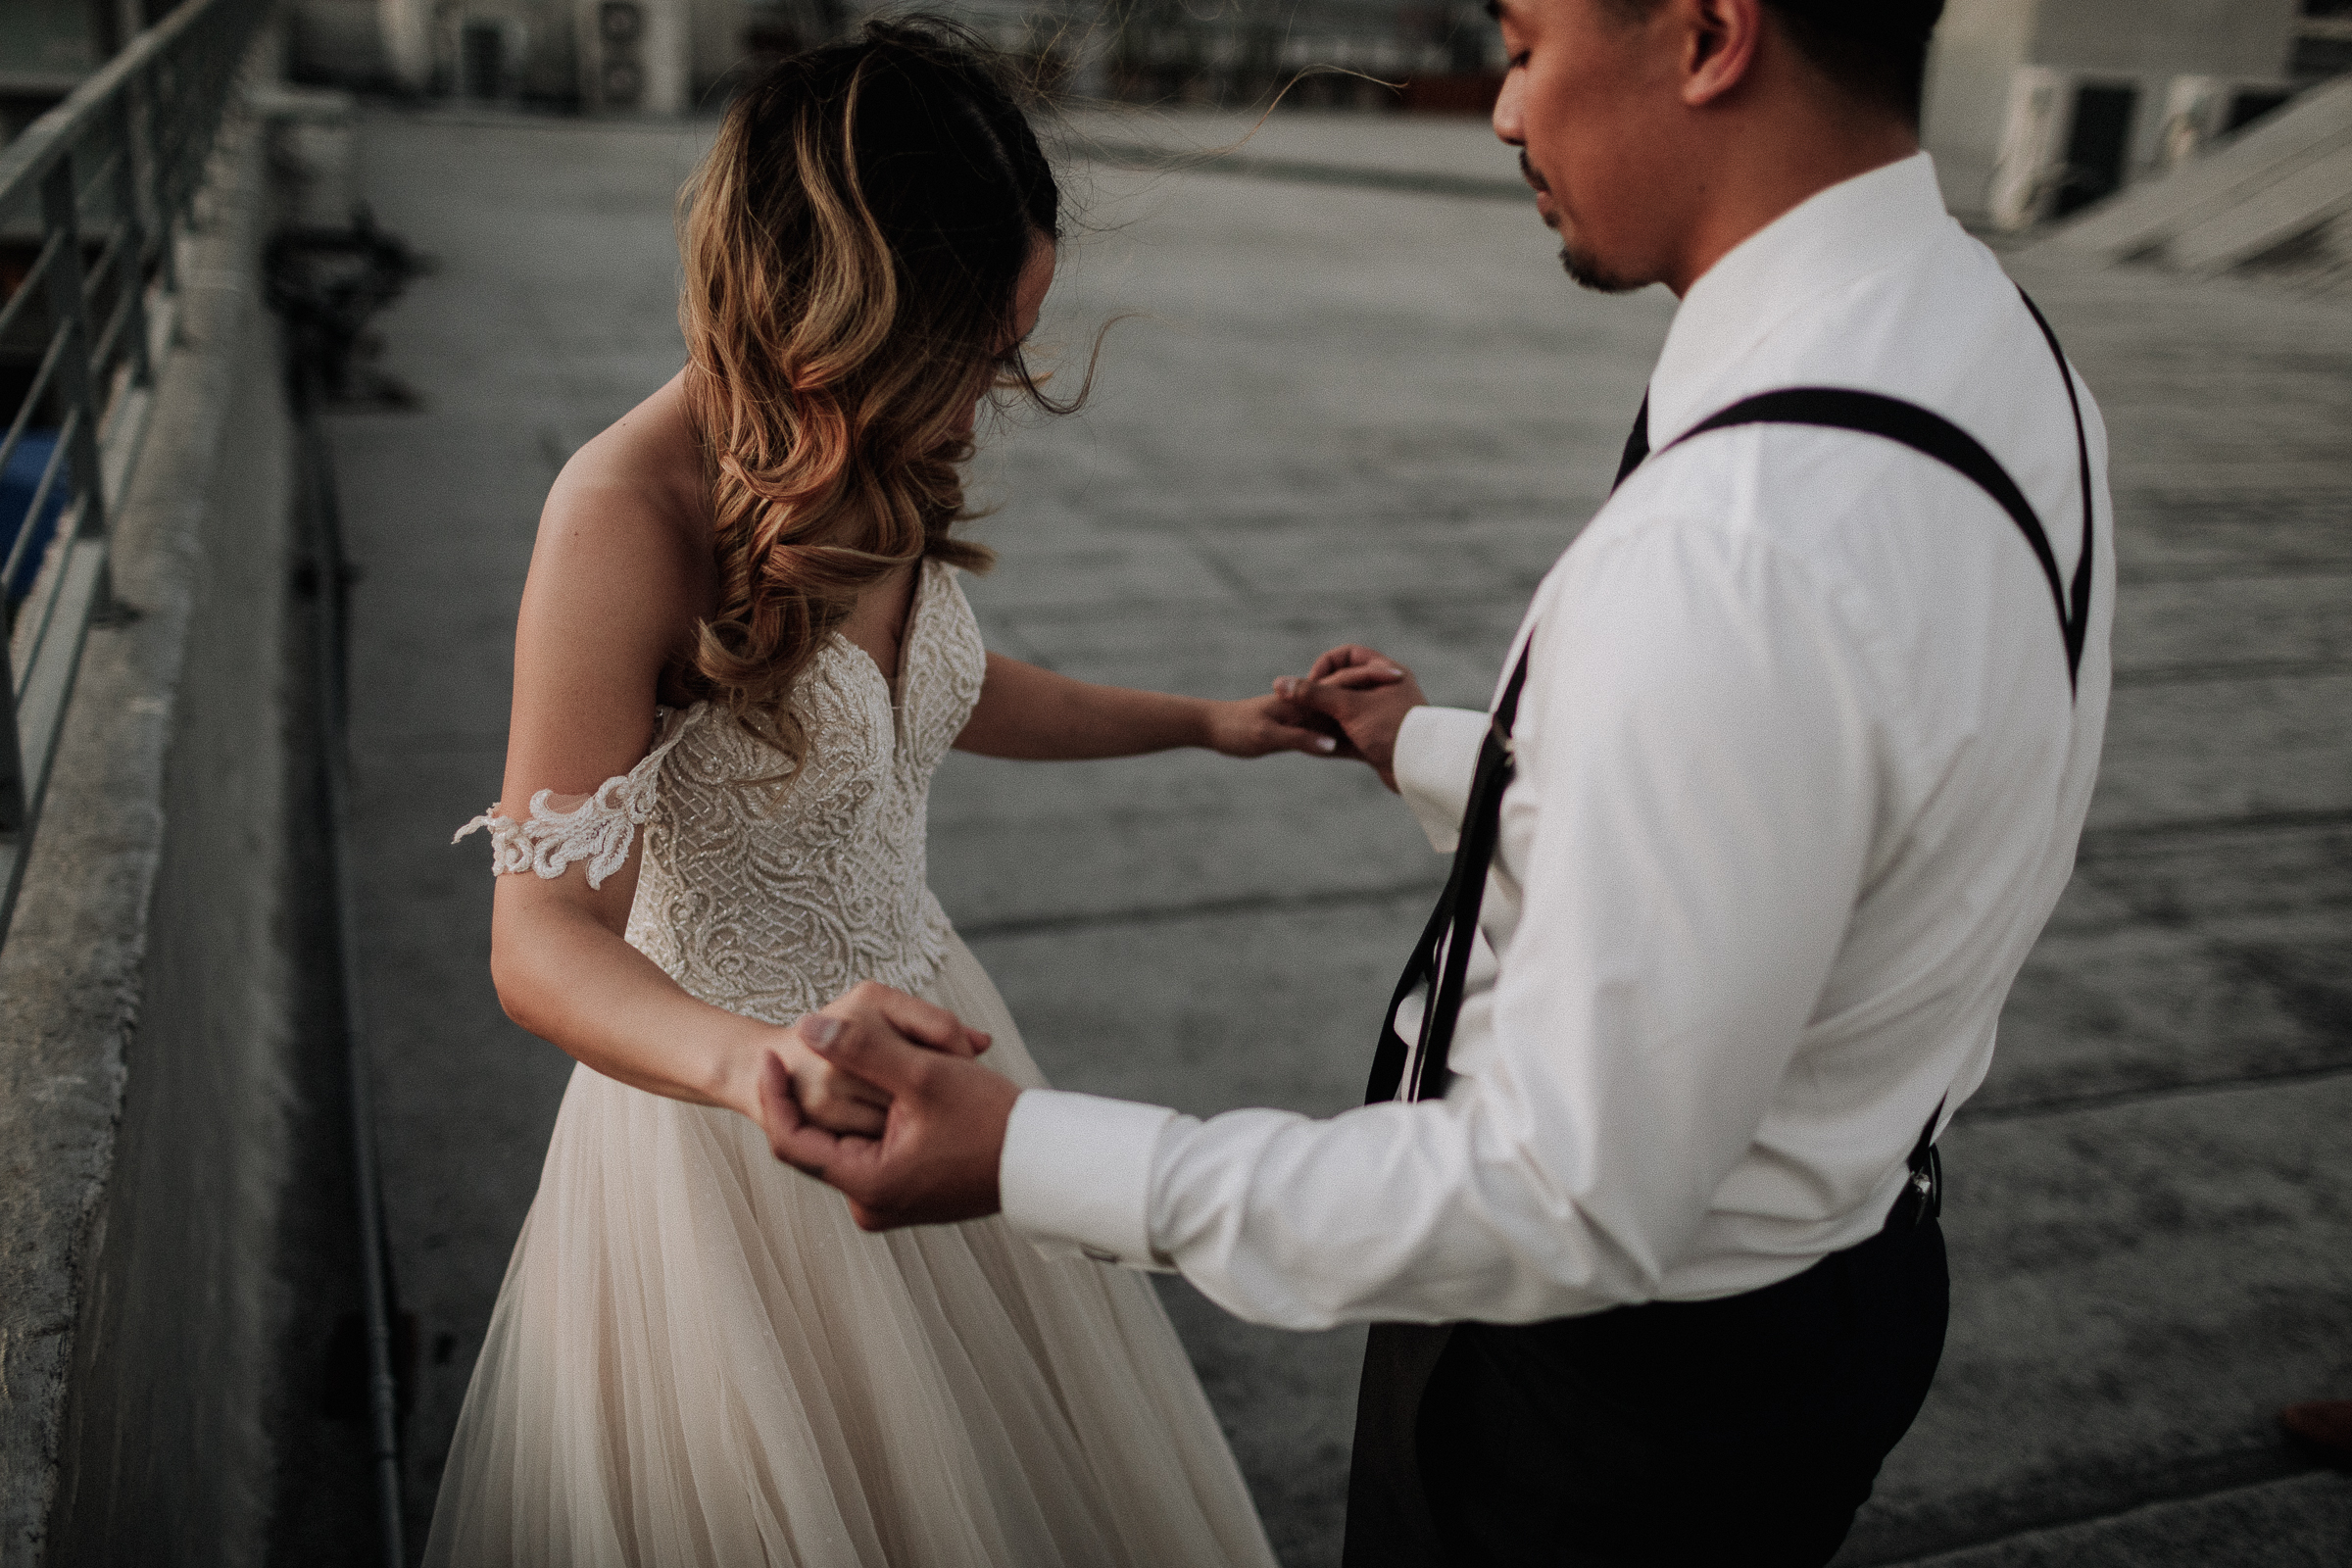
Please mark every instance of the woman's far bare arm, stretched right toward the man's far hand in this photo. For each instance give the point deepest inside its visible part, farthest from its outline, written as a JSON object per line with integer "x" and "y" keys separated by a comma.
{"x": 1041, "y": 716}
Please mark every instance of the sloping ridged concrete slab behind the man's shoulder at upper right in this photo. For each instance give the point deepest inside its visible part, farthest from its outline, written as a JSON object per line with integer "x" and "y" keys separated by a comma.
{"x": 2261, "y": 189}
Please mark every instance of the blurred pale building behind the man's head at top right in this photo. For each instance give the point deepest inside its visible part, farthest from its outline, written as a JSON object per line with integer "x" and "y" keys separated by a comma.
{"x": 2043, "y": 107}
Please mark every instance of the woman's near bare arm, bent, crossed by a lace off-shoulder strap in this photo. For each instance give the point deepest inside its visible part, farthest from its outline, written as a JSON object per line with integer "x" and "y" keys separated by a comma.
{"x": 610, "y": 591}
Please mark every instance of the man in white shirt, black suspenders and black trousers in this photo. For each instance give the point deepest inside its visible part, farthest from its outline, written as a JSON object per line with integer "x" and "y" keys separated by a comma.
{"x": 1784, "y": 777}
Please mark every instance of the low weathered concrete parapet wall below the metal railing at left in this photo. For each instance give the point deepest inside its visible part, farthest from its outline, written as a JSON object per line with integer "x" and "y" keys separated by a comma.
{"x": 145, "y": 989}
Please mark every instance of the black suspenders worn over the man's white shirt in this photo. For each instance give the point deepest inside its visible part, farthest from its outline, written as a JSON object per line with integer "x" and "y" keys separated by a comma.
{"x": 1443, "y": 956}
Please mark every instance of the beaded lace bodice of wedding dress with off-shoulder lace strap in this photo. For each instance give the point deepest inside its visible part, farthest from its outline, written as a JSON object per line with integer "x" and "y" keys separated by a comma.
{"x": 770, "y": 899}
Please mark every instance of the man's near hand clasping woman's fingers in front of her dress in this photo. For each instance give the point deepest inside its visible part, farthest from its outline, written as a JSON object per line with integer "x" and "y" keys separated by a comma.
{"x": 940, "y": 1148}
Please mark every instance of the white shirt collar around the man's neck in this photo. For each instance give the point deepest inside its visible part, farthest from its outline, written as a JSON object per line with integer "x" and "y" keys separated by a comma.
{"x": 1826, "y": 241}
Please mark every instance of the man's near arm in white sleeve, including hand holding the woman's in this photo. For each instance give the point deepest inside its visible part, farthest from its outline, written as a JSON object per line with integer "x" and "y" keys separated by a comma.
{"x": 1697, "y": 803}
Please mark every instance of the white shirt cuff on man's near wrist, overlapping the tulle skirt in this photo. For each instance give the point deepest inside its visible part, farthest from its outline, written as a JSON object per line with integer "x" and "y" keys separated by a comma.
{"x": 1076, "y": 1177}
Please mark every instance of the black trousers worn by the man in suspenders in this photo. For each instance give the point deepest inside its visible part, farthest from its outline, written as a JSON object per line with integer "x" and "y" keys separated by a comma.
{"x": 1732, "y": 1433}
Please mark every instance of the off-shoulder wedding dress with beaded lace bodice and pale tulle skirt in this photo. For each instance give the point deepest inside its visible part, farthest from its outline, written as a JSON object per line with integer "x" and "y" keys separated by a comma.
{"x": 697, "y": 1358}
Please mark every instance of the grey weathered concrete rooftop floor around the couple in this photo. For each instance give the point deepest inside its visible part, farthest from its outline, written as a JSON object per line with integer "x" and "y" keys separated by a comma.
{"x": 1370, "y": 415}
